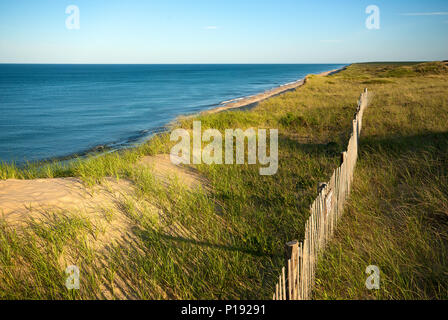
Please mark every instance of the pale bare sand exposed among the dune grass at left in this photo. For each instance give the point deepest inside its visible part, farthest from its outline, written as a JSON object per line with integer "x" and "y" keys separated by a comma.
{"x": 23, "y": 200}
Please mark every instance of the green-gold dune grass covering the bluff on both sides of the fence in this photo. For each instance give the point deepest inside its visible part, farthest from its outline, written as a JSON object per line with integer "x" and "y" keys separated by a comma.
{"x": 226, "y": 241}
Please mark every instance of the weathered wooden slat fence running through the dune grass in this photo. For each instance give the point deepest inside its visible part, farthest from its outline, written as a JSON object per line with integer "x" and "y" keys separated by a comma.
{"x": 297, "y": 278}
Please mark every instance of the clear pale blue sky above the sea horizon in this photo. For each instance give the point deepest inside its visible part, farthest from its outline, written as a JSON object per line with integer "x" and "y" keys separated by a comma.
{"x": 222, "y": 31}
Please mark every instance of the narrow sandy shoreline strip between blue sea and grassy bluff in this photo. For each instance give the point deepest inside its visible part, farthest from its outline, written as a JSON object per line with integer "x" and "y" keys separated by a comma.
{"x": 242, "y": 103}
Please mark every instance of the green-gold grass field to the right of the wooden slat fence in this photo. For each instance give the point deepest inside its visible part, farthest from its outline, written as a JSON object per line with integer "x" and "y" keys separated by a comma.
{"x": 397, "y": 217}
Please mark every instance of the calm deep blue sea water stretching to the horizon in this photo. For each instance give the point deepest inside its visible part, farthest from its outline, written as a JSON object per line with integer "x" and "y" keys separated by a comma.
{"x": 49, "y": 111}
